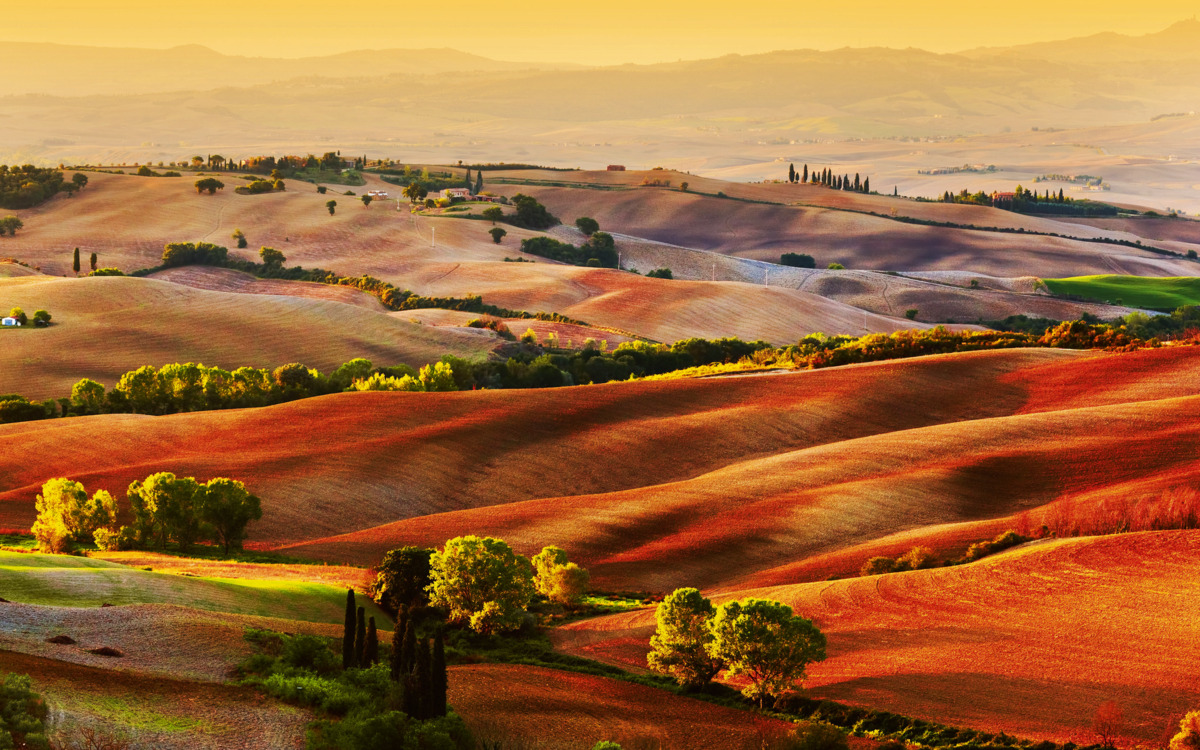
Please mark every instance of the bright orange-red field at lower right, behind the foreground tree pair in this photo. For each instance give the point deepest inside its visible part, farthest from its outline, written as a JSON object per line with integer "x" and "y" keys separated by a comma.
{"x": 1030, "y": 643}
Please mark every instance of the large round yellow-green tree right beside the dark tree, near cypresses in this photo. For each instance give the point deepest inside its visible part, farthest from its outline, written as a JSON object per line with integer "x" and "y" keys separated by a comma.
{"x": 482, "y": 583}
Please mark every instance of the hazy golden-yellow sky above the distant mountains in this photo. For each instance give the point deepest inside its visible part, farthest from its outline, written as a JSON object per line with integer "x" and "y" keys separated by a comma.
{"x": 605, "y": 33}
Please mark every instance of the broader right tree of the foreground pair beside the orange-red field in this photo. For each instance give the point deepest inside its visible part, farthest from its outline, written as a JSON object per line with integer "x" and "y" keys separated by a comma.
{"x": 763, "y": 641}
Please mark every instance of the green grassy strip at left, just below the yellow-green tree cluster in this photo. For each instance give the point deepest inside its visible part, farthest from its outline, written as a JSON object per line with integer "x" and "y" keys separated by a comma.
{"x": 61, "y": 580}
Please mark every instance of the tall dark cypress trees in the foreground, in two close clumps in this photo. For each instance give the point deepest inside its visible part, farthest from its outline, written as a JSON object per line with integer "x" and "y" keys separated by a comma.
{"x": 419, "y": 667}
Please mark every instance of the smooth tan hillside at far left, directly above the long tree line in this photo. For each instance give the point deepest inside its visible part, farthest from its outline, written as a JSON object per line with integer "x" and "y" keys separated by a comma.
{"x": 125, "y": 323}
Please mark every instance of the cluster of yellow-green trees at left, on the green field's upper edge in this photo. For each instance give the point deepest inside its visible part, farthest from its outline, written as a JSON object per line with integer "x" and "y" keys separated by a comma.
{"x": 164, "y": 508}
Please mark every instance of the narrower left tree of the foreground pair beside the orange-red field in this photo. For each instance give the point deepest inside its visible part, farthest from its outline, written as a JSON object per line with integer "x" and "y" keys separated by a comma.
{"x": 681, "y": 643}
